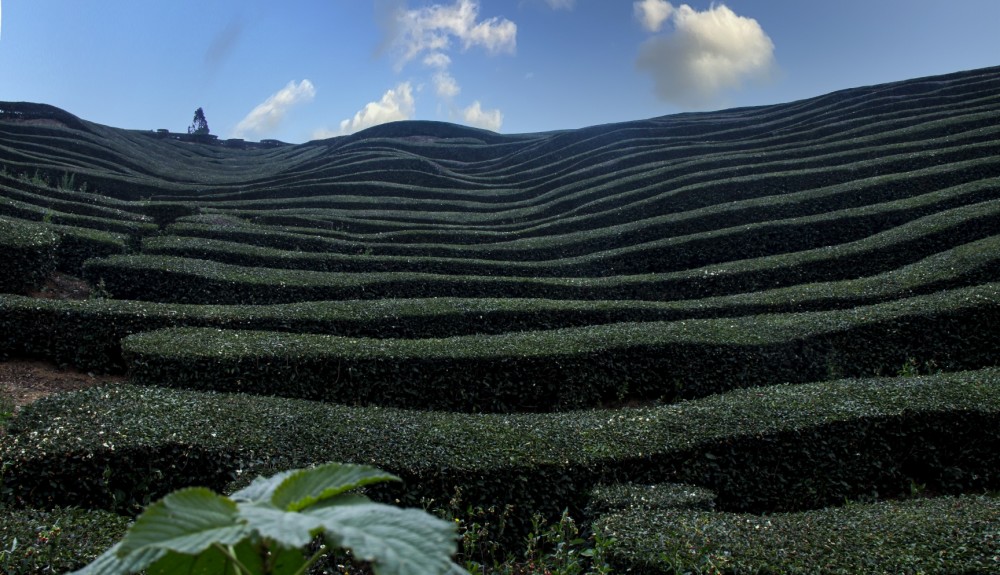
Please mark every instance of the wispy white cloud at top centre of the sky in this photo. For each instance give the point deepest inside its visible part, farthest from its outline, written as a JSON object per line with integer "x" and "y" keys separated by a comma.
{"x": 432, "y": 28}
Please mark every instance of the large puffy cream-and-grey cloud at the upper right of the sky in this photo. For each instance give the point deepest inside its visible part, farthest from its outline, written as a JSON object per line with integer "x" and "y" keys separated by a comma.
{"x": 707, "y": 53}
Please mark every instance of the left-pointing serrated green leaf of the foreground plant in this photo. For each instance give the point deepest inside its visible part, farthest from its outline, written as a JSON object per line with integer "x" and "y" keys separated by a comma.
{"x": 186, "y": 521}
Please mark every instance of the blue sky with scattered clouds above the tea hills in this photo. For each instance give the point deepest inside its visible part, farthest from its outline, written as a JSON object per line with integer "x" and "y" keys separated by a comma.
{"x": 298, "y": 70}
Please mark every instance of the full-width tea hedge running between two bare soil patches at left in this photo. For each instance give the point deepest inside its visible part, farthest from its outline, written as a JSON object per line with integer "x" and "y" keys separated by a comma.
{"x": 87, "y": 334}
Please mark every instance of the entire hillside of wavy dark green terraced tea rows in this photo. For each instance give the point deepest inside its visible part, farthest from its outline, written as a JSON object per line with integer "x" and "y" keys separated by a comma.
{"x": 761, "y": 339}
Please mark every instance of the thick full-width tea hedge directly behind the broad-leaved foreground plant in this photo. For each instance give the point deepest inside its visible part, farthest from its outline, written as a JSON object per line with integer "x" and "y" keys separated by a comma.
{"x": 780, "y": 448}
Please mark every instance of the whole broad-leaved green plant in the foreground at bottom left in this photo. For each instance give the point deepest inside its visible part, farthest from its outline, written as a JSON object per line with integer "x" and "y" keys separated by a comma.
{"x": 266, "y": 527}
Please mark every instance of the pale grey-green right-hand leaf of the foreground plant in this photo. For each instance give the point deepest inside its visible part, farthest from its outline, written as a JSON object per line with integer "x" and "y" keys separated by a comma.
{"x": 396, "y": 541}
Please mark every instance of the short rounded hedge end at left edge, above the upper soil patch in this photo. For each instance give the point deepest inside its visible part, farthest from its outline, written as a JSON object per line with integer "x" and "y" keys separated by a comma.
{"x": 27, "y": 254}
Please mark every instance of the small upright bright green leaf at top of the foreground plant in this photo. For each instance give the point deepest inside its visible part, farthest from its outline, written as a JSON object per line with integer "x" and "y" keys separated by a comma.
{"x": 308, "y": 486}
